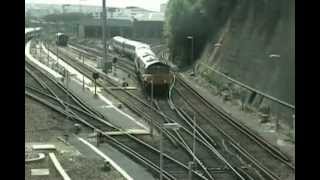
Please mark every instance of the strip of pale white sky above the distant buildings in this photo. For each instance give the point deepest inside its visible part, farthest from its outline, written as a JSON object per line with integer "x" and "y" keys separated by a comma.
{"x": 147, "y": 4}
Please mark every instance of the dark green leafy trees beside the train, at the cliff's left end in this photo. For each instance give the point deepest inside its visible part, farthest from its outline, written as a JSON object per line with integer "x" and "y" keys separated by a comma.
{"x": 198, "y": 18}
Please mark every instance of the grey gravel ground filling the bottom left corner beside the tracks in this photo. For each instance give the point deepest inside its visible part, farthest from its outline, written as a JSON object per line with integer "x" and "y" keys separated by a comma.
{"x": 44, "y": 126}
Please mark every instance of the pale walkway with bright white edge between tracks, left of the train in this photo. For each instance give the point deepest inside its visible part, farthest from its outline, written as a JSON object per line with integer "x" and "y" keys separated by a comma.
{"x": 100, "y": 104}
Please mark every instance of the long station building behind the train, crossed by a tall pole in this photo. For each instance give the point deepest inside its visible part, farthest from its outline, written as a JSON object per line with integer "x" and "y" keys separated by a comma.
{"x": 130, "y": 22}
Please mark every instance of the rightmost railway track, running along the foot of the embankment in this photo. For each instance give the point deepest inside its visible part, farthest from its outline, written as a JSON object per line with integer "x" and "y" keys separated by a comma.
{"x": 269, "y": 161}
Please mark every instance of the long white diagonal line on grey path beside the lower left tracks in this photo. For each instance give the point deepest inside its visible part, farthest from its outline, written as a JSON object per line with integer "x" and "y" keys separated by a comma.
{"x": 114, "y": 164}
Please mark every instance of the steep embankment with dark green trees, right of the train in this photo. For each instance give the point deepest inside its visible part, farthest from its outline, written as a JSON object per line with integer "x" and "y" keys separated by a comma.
{"x": 249, "y": 31}
